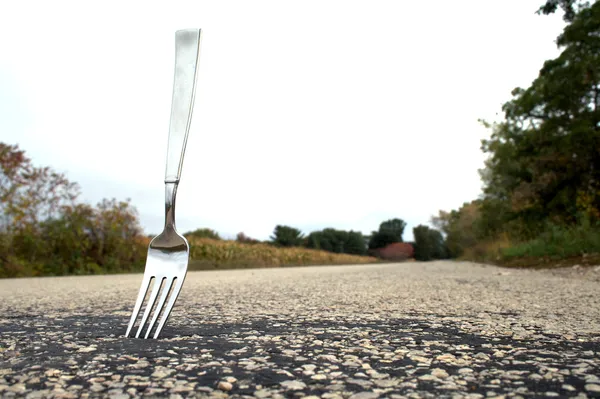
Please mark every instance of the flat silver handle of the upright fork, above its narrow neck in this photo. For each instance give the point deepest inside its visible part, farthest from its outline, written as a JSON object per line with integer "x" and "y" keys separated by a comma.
{"x": 187, "y": 57}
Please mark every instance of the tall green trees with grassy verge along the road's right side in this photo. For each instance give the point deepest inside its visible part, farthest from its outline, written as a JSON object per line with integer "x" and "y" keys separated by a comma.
{"x": 541, "y": 178}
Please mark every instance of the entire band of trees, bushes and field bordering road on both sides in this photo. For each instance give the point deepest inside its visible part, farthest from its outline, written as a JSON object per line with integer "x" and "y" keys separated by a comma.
{"x": 540, "y": 204}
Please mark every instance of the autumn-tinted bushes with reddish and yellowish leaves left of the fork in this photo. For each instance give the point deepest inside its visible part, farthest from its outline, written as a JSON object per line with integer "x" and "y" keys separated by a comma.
{"x": 45, "y": 230}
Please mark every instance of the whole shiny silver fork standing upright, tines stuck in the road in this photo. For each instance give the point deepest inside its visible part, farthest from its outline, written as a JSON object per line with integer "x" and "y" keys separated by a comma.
{"x": 168, "y": 252}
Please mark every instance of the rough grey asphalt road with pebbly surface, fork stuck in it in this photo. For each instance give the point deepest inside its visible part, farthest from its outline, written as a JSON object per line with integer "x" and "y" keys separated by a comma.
{"x": 439, "y": 329}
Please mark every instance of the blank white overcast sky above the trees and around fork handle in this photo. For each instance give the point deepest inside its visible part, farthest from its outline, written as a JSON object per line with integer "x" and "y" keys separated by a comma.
{"x": 308, "y": 113}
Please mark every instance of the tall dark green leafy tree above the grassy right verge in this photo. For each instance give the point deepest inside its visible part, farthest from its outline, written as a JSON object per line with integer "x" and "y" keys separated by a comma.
{"x": 544, "y": 158}
